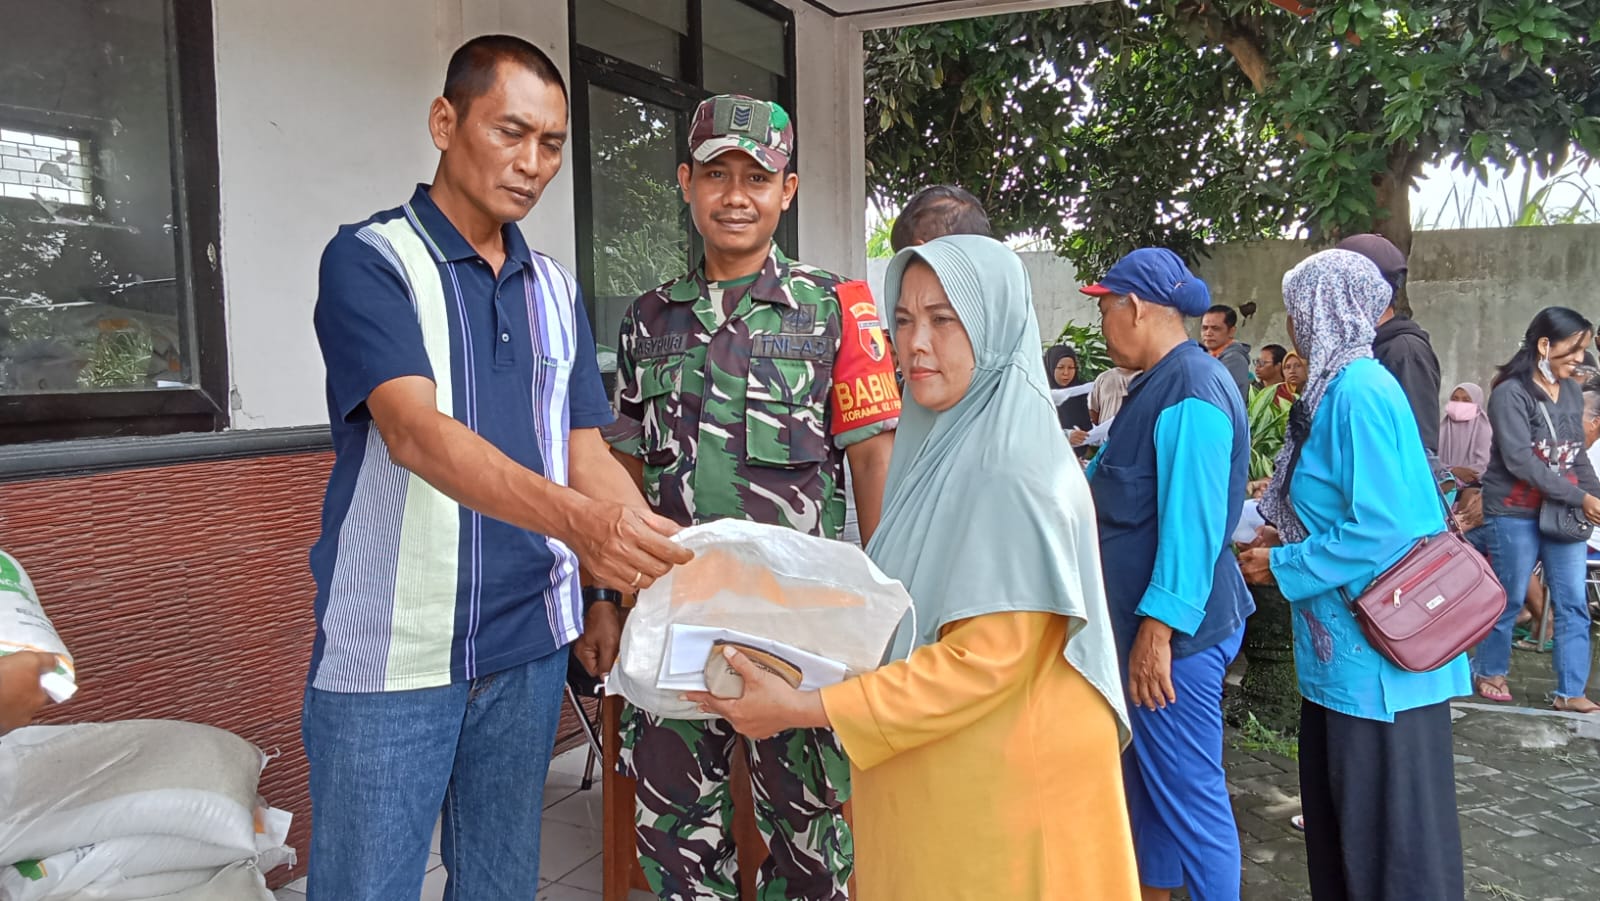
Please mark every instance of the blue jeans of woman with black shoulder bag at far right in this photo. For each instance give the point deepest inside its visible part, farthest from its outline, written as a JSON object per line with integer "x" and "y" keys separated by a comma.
{"x": 1516, "y": 547}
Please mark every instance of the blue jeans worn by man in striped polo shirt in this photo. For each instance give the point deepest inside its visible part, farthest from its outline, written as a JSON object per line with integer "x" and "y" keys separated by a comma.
{"x": 385, "y": 764}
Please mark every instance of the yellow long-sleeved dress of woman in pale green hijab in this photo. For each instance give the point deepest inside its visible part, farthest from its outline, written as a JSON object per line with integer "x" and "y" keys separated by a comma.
{"x": 986, "y": 767}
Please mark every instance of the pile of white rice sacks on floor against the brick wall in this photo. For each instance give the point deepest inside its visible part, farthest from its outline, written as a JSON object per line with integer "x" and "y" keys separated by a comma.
{"x": 135, "y": 811}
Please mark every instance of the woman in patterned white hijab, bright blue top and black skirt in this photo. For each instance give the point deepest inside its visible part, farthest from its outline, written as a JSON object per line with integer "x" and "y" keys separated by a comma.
{"x": 1351, "y": 495}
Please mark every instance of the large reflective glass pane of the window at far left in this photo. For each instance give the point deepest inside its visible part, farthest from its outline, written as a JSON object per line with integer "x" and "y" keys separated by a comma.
{"x": 90, "y": 233}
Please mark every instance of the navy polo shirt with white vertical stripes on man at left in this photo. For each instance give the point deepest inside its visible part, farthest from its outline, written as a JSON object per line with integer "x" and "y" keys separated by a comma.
{"x": 414, "y": 590}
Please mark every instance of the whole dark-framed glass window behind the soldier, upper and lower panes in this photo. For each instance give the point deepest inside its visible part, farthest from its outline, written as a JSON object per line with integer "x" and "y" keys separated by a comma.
{"x": 634, "y": 228}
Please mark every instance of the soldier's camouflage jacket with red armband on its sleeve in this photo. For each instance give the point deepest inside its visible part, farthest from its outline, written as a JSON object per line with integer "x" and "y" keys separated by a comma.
{"x": 748, "y": 415}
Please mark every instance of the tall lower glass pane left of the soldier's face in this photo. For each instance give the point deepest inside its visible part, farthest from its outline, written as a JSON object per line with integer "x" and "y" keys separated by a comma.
{"x": 641, "y": 222}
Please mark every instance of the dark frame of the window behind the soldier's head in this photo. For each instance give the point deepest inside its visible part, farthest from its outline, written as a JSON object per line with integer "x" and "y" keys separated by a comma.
{"x": 593, "y": 68}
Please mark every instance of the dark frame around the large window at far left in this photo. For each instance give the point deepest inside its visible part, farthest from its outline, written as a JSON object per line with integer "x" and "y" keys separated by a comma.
{"x": 202, "y": 407}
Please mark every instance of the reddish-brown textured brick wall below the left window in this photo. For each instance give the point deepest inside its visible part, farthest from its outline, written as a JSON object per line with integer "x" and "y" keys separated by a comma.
{"x": 185, "y": 593}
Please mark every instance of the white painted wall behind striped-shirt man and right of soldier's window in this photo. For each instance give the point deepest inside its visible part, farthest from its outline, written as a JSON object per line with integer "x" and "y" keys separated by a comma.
{"x": 324, "y": 121}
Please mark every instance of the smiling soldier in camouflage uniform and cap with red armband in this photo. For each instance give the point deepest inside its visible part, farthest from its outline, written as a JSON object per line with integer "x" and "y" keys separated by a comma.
{"x": 748, "y": 383}
